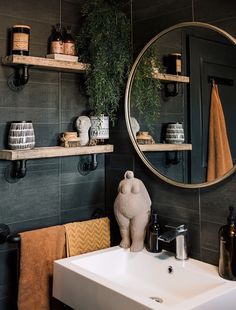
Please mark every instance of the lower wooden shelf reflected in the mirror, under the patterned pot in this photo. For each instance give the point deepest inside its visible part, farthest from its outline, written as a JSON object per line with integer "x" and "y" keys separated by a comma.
{"x": 164, "y": 147}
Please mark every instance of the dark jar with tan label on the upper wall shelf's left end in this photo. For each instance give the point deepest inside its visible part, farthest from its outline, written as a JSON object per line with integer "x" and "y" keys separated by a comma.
{"x": 20, "y": 39}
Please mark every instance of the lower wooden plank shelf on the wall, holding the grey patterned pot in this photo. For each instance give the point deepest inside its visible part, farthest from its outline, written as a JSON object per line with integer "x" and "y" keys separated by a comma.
{"x": 54, "y": 151}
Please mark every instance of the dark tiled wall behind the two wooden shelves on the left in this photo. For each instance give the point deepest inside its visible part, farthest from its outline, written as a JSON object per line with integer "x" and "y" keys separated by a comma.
{"x": 53, "y": 192}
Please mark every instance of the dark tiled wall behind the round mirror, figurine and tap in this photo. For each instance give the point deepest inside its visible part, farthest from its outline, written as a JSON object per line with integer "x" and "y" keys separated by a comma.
{"x": 203, "y": 210}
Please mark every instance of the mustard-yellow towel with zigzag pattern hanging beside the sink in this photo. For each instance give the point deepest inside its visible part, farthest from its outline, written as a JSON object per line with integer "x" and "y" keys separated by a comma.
{"x": 87, "y": 236}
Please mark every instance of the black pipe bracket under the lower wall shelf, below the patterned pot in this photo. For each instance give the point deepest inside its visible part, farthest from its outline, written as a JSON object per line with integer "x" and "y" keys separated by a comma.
{"x": 15, "y": 171}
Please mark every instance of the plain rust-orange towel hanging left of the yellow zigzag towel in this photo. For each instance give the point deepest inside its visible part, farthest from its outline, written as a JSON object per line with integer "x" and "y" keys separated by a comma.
{"x": 39, "y": 248}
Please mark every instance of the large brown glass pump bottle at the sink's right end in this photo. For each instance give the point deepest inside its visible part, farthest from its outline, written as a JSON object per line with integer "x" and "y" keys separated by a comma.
{"x": 227, "y": 239}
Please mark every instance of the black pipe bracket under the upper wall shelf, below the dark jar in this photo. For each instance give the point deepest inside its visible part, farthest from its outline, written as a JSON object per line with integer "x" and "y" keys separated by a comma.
{"x": 19, "y": 78}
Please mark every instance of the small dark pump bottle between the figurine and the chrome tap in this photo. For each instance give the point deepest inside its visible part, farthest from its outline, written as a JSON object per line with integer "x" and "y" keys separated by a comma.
{"x": 153, "y": 232}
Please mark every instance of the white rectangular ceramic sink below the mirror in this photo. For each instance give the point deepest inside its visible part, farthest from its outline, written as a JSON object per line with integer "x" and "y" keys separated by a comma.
{"x": 116, "y": 279}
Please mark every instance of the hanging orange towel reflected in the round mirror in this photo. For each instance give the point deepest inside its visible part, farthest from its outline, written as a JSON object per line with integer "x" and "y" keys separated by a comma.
{"x": 219, "y": 155}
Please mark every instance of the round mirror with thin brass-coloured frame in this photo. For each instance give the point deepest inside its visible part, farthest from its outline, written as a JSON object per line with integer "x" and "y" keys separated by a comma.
{"x": 180, "y": 105}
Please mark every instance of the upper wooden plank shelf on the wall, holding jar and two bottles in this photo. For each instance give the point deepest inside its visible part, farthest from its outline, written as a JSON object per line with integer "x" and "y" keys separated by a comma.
{"x": 45, "y": 63}
